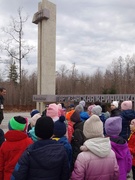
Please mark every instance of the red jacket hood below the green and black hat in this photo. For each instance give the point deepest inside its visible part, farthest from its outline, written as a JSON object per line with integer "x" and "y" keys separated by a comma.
{"x": 14, "y": 135}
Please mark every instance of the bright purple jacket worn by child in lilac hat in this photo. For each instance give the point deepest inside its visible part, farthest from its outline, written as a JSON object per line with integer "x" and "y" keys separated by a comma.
{"x": 123, "y": 156}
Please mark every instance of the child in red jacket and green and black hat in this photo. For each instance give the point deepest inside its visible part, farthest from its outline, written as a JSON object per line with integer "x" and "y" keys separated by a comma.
{"x": 11, "y": 150}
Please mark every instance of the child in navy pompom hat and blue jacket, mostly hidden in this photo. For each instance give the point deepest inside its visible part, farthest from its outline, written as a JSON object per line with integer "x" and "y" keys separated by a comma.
{"x": 59, "y": 135}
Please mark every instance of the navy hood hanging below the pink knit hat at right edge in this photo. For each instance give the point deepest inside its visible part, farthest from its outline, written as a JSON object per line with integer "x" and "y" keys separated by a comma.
{"x": 128, "y": 114}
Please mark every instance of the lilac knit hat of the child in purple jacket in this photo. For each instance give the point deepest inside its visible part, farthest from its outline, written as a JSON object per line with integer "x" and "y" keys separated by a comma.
{"x": 113, "y": 126}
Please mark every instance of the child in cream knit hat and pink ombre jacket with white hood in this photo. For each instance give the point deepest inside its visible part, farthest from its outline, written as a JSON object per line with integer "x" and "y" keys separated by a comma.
{"x": 97, "y": 160}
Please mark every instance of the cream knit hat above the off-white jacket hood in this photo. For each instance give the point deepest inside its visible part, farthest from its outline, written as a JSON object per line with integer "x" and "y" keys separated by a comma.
{"x": 93, "y": 127}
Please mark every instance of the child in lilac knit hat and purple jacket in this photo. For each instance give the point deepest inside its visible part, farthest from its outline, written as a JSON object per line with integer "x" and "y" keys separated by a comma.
{"x": 113, "y": 127}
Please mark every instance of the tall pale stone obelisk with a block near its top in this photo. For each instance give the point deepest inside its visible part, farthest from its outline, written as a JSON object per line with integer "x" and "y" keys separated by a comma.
{"x": 46, "y": 20}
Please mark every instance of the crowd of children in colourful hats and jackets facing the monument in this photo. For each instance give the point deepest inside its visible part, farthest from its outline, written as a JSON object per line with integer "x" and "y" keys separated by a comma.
{"x": 78, "y": 142}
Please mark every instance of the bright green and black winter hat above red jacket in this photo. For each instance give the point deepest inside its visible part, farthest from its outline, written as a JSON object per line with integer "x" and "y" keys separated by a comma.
{"x": 17, "y": 123}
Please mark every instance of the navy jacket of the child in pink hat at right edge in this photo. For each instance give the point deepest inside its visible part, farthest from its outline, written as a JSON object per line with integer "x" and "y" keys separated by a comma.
{"x": 127, "y": 116}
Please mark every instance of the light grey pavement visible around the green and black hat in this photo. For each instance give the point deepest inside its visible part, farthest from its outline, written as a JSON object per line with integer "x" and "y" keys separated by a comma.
{"x": 9, "y": 115}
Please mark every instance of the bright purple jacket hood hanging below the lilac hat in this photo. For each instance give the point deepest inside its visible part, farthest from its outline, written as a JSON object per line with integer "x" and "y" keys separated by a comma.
{"x": 120, "y": 150}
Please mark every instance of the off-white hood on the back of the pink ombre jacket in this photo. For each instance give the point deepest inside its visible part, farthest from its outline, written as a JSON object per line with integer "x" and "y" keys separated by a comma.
{"x": 99, "y": 146}
